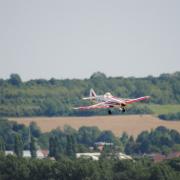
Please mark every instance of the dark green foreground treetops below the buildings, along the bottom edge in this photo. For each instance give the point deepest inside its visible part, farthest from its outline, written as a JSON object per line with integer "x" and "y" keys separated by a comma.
{"x": 12, "y": 167}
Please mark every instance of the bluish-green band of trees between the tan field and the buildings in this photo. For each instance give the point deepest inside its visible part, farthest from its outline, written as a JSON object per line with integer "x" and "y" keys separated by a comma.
{"x": 69, "y": 141}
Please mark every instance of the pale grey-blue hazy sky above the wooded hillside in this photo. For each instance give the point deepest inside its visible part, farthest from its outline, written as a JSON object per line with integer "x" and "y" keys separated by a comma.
{"x": 75, "y": 38}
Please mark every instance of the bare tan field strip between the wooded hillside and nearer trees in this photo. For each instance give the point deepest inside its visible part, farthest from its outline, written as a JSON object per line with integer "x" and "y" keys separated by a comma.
{"x": 132, "y": 124}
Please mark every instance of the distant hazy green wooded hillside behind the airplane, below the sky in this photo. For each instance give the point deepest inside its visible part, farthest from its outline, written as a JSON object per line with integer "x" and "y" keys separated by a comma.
{"x": 55, "y": 97}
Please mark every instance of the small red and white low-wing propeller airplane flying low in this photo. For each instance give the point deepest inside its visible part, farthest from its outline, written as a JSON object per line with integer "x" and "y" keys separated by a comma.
{"x": 108, "y": 101}
